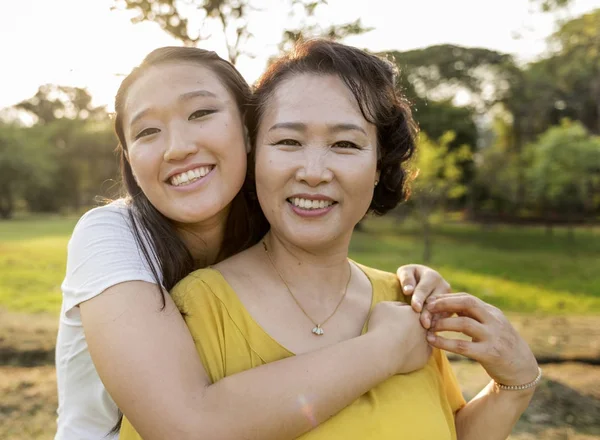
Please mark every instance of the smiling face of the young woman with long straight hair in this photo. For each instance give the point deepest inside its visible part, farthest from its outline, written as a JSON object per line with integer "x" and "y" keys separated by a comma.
{"x": 185, "y": 140}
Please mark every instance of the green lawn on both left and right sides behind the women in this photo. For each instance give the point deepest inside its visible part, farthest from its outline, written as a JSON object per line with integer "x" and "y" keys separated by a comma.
{"x": 517, "y": 269}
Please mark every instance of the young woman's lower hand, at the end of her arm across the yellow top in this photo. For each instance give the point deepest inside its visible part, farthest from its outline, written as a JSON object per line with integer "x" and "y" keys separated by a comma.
{"x": 404, "y": 339}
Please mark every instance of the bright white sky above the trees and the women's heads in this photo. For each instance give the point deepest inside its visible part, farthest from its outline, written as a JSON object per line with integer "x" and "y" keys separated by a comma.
{"x": 86, "y": 44}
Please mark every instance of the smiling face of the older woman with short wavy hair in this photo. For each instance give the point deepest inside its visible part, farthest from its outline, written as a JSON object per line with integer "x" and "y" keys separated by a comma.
{"x": 316, "y": 161}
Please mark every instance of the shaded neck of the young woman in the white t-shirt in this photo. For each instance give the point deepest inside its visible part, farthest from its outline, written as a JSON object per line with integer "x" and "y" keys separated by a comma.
{"x": 204, "y": 239}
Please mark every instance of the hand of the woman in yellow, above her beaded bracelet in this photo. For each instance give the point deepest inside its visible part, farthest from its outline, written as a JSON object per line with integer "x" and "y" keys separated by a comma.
{"x": 495, "y": 343}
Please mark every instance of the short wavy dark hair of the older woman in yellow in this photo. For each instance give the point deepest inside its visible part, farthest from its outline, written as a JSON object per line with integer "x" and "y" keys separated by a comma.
{"x": 372, "y": 81}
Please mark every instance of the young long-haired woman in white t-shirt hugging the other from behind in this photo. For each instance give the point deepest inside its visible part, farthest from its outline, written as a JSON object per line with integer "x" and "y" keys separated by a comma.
{"x": 183, "y": 147}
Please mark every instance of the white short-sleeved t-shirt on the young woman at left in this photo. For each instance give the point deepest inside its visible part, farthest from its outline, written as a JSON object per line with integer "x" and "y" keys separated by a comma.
{"x": 102, "y": 252}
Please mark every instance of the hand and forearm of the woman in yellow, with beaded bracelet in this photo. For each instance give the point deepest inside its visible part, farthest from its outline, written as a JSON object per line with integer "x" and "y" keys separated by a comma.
{"x": 504, "y": 354}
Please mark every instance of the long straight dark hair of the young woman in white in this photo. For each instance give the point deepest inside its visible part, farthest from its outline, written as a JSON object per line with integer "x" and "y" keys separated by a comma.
{"x": 155, "y": 233}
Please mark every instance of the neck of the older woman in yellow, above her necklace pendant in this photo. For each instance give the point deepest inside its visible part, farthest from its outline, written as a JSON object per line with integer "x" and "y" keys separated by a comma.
{"x": 322, "y": 274}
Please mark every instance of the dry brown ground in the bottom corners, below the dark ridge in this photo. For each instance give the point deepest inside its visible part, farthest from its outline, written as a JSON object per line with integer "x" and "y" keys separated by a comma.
{"x": 566, "y": 406}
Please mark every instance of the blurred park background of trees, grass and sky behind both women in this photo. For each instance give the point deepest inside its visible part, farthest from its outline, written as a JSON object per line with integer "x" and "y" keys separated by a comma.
{"x": 506, "y": 204}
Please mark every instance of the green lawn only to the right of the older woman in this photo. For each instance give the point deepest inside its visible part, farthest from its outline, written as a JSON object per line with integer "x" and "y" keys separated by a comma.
{"x": 518, "y": 269}
